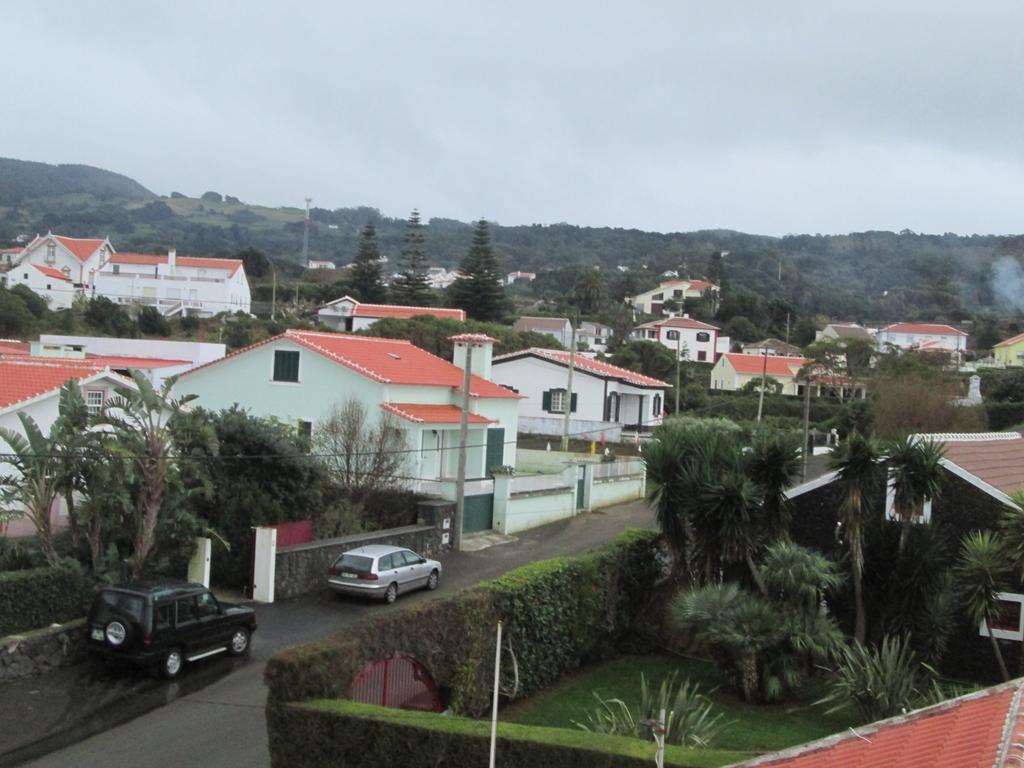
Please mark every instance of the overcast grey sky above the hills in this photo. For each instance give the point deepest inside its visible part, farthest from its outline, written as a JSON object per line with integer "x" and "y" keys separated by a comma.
{"x": 765, "y": 117}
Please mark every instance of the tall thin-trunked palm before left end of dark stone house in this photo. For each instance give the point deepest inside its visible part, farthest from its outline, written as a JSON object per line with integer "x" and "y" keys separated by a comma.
{"x": 857, "y": 462}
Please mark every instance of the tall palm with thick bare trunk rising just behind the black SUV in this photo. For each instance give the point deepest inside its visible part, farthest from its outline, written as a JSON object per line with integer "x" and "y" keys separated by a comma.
{"x": 141, "y": 418}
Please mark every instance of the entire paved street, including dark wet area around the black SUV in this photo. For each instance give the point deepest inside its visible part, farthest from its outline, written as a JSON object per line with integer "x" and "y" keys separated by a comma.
{"x": 215, "y": 715}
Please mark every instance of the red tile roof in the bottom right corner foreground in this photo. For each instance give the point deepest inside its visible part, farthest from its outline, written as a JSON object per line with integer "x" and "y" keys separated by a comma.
{"x": 979, "y": 731}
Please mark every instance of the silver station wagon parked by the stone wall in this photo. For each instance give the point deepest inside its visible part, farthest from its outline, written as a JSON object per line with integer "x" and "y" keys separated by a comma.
{"x": 383, "y": 572}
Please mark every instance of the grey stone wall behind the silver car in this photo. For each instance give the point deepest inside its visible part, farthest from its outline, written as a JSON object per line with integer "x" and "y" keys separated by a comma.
{"x": 302, "y": 569}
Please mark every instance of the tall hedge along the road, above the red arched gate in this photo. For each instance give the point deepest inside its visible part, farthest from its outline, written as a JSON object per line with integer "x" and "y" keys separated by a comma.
{"x": 559, "y": 614}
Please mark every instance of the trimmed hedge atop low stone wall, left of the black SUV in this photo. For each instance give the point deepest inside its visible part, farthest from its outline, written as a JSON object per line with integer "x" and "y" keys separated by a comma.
{"x": 37, "y": 599}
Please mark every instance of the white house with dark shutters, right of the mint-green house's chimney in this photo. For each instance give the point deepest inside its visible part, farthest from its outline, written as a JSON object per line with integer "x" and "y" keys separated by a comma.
{"x": 606, "y": 399}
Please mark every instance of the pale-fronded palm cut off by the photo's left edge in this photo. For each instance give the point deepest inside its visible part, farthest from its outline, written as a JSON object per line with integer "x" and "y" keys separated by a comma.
{"x": 33, "y": 488}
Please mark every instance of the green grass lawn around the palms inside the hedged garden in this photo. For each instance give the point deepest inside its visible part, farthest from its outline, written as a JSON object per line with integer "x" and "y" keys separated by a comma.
{"x": 753, "y": 729}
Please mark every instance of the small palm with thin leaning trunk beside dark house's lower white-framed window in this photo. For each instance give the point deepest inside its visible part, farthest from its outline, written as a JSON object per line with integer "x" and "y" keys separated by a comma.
{"x": 983, "y": 572}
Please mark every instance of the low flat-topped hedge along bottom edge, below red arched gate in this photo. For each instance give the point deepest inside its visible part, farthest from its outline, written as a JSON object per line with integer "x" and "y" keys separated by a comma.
{"x": 347, "y": 735}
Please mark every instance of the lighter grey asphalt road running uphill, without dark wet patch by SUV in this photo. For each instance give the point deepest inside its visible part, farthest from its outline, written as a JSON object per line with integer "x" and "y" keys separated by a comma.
{"x": 223, "y": 723}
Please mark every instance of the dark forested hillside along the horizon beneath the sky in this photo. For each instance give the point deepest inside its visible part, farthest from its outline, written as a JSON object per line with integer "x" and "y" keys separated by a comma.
{"x": 870, "y": 277}
